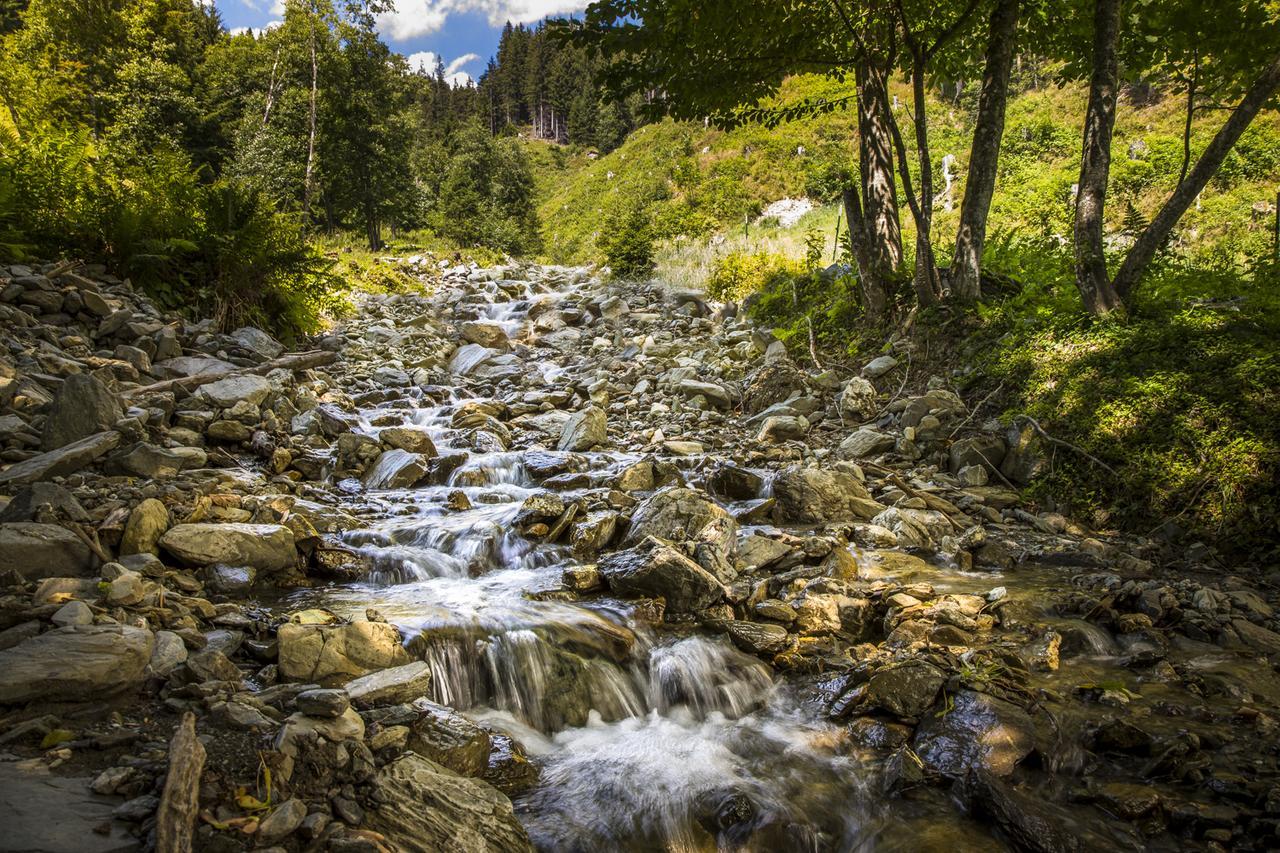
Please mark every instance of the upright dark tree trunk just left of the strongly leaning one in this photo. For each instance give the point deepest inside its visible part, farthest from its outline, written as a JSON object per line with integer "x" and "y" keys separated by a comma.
{"x": 1091, "y": 266}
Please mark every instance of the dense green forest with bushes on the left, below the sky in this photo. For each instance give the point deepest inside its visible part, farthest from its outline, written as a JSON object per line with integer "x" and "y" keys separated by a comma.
{"x": 199, "y": 162}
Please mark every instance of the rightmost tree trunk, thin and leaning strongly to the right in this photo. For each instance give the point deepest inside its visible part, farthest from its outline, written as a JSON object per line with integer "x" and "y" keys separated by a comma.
{"x": 1158, "y": 232}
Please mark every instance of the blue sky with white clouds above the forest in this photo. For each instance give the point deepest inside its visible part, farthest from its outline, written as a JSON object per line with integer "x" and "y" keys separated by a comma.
{"x": 463, "y": 33}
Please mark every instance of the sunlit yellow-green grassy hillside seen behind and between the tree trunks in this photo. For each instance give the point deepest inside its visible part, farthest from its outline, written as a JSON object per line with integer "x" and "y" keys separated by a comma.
{"x": 701, "y": 181}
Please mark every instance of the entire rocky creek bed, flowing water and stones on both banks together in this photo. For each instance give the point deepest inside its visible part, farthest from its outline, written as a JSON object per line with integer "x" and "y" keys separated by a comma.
{"x": 536, "y": 560}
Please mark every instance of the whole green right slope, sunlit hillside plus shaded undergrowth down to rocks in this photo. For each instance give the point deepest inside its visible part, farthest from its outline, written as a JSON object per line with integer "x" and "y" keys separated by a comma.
{"x": 1181, "y": 400}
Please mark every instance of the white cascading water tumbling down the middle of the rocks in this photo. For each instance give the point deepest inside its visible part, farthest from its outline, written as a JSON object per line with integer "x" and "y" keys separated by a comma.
{"x": 647, "y": 742}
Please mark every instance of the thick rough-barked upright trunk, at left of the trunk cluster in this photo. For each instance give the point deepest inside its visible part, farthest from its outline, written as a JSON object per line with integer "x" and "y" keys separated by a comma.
{"x": 876, "y": 157}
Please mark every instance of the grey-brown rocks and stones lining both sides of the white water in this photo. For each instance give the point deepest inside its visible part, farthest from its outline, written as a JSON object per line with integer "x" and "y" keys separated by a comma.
{"x": 164, "y": 480}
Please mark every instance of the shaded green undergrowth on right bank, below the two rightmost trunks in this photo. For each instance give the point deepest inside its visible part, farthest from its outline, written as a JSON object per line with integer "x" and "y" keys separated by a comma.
{"x": 1182, "y": 399}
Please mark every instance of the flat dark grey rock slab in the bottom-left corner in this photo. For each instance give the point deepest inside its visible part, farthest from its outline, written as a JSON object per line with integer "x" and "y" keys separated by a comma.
{"x": 47, "y": 814}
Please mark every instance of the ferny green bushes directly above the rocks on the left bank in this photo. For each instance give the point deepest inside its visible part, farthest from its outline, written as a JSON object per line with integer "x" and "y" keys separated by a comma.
{"x": 218, "y": 250}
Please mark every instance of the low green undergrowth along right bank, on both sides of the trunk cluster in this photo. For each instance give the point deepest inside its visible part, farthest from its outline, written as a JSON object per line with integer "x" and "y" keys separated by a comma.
{"x": 1181, "y": 399}
